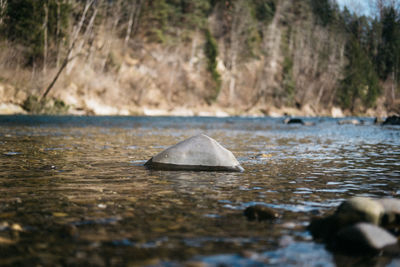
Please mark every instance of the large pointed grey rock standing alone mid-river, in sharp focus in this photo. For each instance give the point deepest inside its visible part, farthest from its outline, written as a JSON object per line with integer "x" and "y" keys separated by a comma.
{"x": 198, "y": 153}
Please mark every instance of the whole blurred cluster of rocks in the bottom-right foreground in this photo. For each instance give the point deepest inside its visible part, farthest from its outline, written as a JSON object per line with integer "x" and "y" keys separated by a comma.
{"x": 360, "y": 224}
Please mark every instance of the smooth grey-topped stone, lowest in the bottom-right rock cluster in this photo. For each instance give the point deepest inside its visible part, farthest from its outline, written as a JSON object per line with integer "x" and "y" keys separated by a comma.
{"x": 363, "y": 237}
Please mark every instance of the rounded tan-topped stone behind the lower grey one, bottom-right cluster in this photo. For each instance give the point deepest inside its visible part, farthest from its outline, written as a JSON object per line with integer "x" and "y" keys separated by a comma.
{"x": 359, "y": 209}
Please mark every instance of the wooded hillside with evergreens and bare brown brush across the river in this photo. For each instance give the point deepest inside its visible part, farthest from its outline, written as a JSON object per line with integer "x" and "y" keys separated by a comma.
{"x": 133, "y": 57}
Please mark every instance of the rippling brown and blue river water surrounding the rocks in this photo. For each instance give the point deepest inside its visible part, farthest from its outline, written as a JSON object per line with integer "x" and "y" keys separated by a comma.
{"x": 73, "y": 190}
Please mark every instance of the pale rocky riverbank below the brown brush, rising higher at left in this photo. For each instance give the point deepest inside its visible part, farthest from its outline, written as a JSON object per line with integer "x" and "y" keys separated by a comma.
{"x": 18, "y": 101}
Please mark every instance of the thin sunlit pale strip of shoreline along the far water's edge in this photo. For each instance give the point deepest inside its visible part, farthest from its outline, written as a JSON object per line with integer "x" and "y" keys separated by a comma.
{"x": 200, "y": 111}
